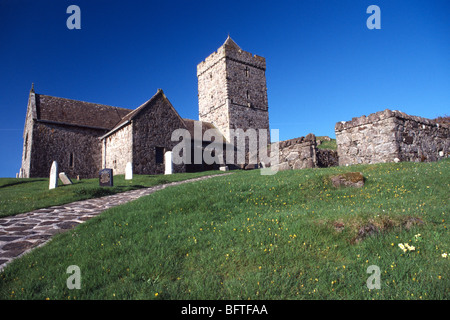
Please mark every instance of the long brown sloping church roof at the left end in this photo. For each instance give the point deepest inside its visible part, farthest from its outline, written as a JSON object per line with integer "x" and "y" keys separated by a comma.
{"x": 78, "y": 113}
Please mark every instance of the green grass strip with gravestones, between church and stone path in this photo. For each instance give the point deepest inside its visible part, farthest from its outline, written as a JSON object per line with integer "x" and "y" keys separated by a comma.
{"x": 24, "y": 195}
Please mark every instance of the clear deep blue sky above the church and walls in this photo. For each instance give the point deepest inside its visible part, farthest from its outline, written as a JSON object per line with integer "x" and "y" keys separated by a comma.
{"x": 323, "y": 64}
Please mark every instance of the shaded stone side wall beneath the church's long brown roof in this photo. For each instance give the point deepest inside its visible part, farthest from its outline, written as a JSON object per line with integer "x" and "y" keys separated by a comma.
{"x": 76, "y": 150}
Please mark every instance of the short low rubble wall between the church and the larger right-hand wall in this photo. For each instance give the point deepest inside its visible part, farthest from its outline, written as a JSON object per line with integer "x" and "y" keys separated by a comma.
{"x": 299, "y": 153}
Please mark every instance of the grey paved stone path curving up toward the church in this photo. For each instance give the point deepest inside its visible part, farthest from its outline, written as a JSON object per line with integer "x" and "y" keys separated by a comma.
{"x": 21, "y": 233}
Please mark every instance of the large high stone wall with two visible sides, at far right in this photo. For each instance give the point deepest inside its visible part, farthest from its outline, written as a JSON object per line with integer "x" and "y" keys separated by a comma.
{"x": 388, "y": 136}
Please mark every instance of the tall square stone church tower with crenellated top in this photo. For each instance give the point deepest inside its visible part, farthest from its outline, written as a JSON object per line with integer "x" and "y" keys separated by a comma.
{"x": 232, "y": 90}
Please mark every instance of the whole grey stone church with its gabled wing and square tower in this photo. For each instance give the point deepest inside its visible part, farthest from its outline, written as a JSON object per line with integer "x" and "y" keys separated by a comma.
{"x": 84, "y": 137}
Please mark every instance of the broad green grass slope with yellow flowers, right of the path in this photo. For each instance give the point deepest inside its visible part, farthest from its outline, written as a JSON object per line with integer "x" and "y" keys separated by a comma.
{"x": 246, "y": 236}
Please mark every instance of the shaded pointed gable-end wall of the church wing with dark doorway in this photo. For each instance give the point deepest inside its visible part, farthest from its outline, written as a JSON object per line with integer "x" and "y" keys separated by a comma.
{"x": 152, "y": 129}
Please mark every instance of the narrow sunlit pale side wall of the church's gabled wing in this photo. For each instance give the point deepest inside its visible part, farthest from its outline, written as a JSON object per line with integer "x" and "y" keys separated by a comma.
{"x": 118, "y": 149}
